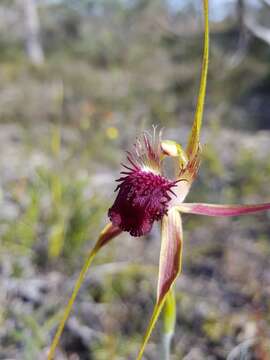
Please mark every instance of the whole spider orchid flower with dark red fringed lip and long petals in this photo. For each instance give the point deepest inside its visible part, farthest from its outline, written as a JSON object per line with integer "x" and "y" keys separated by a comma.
{"x": 146, "y": 194}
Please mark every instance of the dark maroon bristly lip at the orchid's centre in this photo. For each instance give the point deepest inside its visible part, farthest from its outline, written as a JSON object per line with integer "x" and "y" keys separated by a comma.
{"x": 143, "y": 197}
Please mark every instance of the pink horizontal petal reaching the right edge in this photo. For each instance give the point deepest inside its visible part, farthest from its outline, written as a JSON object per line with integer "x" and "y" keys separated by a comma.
{"x": 221, "y": 210}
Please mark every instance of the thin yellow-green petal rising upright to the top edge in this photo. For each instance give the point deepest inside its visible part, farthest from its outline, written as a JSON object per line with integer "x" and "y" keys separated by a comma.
{"x": 194, "y": 137}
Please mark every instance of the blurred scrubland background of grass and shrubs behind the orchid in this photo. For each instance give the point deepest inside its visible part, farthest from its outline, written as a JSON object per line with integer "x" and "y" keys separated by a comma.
{"x": 79, "y": 80}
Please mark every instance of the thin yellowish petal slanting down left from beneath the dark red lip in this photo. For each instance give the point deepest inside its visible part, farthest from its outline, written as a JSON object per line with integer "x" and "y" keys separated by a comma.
{"x": 108, "y": 233}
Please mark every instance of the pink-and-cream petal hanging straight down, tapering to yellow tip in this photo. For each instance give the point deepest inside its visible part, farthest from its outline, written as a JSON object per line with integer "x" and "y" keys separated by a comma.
{"x": 169, "y": 266}
